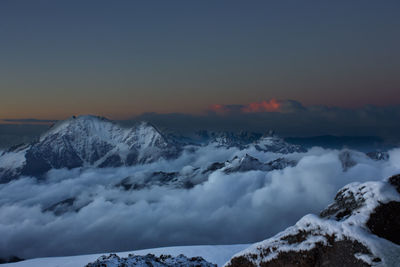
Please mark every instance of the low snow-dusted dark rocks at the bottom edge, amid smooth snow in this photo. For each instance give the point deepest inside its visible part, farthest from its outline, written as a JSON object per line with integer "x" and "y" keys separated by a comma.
{"x": 150, "y": 260}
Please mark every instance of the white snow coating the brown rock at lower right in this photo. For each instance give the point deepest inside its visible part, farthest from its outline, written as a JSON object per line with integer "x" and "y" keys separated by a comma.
{"x": 352, "y": 228}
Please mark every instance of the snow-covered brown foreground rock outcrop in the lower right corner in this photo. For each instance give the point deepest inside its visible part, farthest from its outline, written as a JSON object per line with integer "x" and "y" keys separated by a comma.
{"x": 361, "y": 228}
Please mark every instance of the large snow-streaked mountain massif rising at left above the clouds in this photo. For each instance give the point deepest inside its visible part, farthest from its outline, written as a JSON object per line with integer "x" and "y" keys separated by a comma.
{"x": 87, "y": 141}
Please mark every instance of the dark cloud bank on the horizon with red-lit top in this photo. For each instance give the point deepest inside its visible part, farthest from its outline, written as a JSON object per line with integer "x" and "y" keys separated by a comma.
{"x": 288, "y": 118}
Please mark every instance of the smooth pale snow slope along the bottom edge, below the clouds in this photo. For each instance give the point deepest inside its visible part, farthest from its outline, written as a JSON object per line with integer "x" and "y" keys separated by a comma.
{"x": 218, "y": 254}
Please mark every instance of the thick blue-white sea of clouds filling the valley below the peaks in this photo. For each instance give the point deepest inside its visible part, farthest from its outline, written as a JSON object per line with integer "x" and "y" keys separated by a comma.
{"x": 224, "y": 209}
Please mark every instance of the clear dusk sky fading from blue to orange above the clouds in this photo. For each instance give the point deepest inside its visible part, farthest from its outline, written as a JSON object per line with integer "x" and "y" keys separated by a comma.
{"x": 123, "y": 58}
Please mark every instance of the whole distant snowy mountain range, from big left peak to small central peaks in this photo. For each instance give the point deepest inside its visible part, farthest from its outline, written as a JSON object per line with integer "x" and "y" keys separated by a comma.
{"x": 92, "y": 141}
